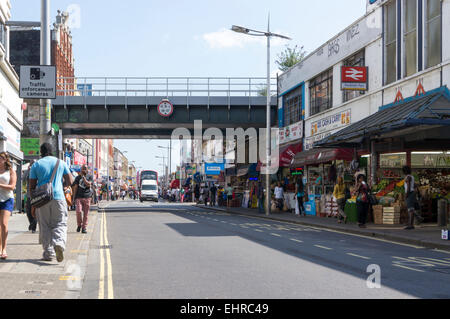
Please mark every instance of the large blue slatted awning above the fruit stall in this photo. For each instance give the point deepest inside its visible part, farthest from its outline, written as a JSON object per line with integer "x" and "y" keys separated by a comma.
{"x": 429, "y": 110}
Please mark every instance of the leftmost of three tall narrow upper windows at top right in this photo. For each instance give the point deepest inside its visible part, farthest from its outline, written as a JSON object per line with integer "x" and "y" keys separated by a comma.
{"x": 390, "y": 42}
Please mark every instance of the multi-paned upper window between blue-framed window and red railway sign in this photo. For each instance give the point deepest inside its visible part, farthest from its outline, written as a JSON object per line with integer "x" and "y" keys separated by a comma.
{"x": 321, "y": 92}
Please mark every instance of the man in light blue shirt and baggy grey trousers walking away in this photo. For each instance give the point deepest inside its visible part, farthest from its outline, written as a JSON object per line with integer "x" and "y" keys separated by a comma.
{"x": 52, "y": 216}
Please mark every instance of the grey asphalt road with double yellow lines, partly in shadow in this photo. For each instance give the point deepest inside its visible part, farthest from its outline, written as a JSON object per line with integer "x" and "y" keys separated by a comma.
{"x": 160, "y": 250}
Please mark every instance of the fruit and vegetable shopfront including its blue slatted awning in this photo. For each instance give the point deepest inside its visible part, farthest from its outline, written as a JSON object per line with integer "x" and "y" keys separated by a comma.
{"x": 414, "y": 132}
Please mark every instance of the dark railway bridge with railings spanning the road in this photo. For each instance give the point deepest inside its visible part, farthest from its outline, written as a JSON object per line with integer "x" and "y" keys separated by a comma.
{"x": 128, "y": 107}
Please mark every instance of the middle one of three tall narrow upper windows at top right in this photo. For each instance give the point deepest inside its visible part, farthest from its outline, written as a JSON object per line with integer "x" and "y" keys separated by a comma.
{"x": 410, "y": 36}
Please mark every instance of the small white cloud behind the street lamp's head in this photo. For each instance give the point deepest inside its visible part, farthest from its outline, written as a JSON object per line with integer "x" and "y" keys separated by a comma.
{"x": 225, "y": 38}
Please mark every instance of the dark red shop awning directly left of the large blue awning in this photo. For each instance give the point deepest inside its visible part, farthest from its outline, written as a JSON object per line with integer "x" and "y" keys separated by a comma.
{"x": 322, "y": 155}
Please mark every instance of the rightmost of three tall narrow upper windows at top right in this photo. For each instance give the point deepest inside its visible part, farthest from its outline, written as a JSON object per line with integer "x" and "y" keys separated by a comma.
{"x": 433, "y": 33}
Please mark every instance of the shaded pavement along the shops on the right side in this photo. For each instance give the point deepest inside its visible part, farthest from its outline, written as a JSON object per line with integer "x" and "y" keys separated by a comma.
{"x": 425, "y": 235}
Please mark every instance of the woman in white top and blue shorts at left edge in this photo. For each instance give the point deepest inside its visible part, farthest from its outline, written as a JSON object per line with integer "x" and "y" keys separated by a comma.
{"x": 8, "y": 180}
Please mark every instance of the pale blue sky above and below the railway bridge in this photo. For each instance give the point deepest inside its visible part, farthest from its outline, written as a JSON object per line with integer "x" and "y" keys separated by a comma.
{"x": 188, "y": 38}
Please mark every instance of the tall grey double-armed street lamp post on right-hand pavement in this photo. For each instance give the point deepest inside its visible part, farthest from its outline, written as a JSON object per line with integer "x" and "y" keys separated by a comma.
{"x": 268, "y": 35}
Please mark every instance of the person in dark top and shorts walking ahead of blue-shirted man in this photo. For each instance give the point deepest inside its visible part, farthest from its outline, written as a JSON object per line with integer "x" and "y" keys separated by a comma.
{"x": 82, "y": 193}
